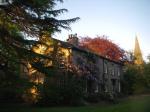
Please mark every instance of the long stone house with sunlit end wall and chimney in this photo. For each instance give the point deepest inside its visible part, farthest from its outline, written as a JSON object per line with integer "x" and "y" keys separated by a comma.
{"x": 102, "y": 74}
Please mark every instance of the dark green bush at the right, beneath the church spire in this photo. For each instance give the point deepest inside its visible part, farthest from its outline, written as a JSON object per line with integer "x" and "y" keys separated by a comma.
{"x": 134, "y": 80}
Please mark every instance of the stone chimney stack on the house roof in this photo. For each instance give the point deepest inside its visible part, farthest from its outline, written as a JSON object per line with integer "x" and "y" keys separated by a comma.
{"x": 73, "y": 39}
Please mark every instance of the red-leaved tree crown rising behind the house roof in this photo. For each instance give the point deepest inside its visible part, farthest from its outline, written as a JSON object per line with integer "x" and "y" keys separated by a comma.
{"x": 103, "y": 46}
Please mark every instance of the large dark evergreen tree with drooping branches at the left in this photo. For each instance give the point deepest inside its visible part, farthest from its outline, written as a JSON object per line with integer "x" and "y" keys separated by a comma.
{"x": 19, "y": 20}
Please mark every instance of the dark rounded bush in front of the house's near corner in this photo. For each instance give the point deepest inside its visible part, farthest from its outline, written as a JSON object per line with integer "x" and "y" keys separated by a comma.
{"x": 63, "y": 89}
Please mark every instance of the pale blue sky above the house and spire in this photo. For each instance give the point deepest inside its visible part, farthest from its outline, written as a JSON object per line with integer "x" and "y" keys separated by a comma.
{"x": 120, "y": 20}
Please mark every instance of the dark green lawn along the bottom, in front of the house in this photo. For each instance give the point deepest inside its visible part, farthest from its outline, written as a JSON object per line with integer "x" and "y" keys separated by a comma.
{"x": 139, "y": 103}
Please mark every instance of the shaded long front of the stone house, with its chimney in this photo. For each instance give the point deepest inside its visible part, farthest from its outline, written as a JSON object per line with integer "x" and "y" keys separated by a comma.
{"x": 103, "y": 74}
